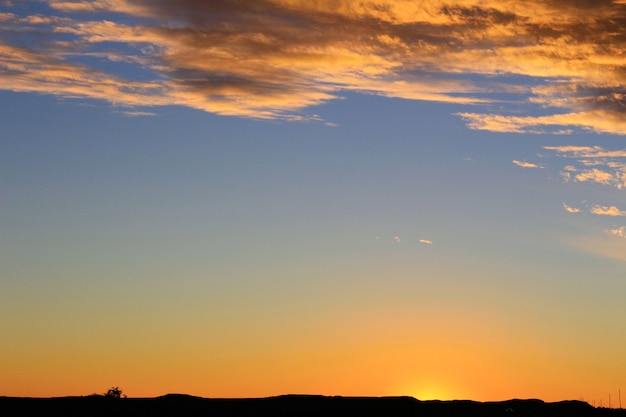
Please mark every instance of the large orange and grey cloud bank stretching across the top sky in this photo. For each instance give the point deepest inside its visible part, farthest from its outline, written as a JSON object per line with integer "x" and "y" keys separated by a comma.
{"x": 276, "y": 58}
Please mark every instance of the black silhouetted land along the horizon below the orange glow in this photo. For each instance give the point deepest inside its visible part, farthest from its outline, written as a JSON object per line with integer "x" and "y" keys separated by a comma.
{"x": 292, "y": 406}
